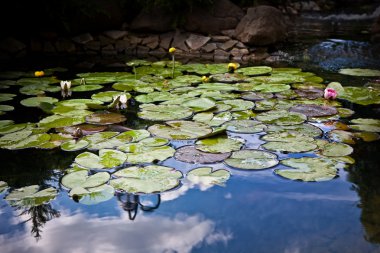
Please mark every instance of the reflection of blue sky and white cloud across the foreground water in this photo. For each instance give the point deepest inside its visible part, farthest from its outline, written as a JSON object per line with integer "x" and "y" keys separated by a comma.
{"x": 256, "y": 212}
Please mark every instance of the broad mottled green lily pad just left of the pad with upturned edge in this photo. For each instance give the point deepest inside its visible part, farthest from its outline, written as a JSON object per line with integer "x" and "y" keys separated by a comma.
{"x": 180, "y": 130}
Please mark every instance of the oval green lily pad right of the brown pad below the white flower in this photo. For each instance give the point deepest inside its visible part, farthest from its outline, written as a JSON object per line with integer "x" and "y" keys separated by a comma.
{"x": 164, "y": 112}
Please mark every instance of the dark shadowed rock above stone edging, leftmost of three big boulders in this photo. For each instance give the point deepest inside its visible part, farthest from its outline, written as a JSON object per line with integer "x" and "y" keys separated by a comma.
{"x": 154, "y": 20}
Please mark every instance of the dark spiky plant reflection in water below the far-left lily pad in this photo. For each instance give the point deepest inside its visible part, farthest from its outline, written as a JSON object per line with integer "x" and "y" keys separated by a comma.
{"x": 39, "y": 215}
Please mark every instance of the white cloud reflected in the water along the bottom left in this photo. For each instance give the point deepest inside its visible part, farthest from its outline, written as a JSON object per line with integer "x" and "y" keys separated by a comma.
{"x": 78, "y": 233}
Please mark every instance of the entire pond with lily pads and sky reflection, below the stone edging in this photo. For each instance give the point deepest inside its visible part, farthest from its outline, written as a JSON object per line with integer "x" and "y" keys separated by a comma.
{"x": 196, "y": 158}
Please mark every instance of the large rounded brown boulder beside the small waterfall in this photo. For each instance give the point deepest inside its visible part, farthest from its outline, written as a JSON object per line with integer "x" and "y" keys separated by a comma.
{"x": 262, "y": 26}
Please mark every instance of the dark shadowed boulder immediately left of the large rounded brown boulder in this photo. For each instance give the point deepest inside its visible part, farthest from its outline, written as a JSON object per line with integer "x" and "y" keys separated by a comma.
{"x": 222, "y": 15}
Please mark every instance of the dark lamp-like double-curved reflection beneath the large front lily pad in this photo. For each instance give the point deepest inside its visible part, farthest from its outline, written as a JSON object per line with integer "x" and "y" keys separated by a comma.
{"x": 131, "y": 202}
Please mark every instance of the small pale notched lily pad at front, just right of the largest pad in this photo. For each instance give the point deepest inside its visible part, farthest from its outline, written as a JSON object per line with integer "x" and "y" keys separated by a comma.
{"x": 206, "y": 176}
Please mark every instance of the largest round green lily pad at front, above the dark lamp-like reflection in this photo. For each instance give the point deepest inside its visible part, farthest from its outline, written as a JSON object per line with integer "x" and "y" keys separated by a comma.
{"x": 149, "y": 179}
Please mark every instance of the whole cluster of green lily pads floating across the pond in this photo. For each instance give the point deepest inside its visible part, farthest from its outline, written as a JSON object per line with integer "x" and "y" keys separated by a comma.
{"x": 206, "y": 105}
